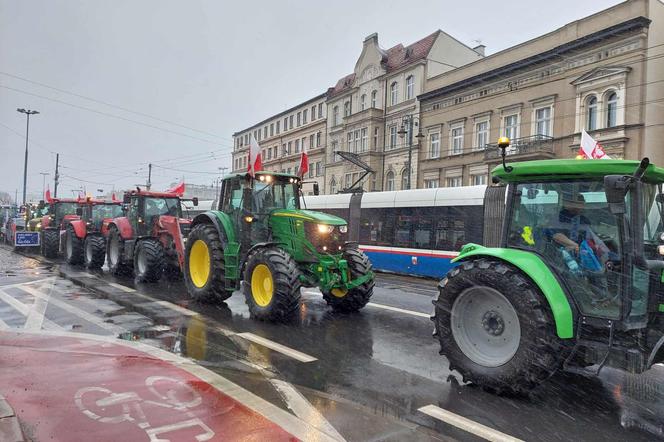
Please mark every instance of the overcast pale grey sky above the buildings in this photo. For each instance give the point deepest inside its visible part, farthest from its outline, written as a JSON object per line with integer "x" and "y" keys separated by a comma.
{"x": 212, "y": 66}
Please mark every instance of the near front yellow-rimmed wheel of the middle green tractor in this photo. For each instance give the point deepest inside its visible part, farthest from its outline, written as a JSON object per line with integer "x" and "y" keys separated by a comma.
{"x": 283, "y": 288}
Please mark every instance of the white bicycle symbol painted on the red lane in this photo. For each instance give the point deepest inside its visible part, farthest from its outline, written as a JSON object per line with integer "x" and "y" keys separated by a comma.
{"x": 114, "y": 408}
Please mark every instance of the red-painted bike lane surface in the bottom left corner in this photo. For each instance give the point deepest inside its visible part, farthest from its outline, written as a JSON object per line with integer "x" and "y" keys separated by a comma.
{"x": 65, "y": 388}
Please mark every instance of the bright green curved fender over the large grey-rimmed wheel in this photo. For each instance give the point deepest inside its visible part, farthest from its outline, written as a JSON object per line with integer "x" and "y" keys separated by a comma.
{"x": 533, "y": 266}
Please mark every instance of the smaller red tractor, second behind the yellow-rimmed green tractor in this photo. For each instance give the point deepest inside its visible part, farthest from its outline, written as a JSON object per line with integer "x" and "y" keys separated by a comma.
{"x": 85, "y": 241}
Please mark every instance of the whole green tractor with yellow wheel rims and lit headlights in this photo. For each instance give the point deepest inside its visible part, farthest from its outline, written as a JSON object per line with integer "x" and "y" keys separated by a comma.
{"x": 261, "y": 241}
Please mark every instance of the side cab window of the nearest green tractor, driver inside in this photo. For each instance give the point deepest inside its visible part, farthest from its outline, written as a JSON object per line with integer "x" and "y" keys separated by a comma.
{"x": 570, "y": 226}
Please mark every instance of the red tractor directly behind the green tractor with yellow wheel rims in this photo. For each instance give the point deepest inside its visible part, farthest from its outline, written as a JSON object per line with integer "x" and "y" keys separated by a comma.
{"x": 148, "y": 239}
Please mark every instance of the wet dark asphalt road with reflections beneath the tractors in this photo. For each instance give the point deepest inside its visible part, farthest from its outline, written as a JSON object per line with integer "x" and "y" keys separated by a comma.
{"x": 372, "y": 370}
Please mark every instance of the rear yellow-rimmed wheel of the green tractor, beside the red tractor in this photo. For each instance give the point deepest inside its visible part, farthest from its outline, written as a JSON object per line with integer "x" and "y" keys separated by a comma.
{"x": 205, "y": 281}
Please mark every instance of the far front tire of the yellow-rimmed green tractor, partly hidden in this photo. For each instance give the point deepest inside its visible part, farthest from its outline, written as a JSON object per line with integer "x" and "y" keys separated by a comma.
{"x": 354, "y": 299}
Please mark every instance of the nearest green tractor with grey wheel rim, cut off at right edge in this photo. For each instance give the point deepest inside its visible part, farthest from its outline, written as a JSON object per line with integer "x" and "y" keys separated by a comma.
{"x": 574, "y": 279}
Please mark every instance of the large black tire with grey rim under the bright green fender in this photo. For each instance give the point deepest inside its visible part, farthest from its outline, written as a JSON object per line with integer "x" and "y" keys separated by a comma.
{"x": 501, "y": 354}
